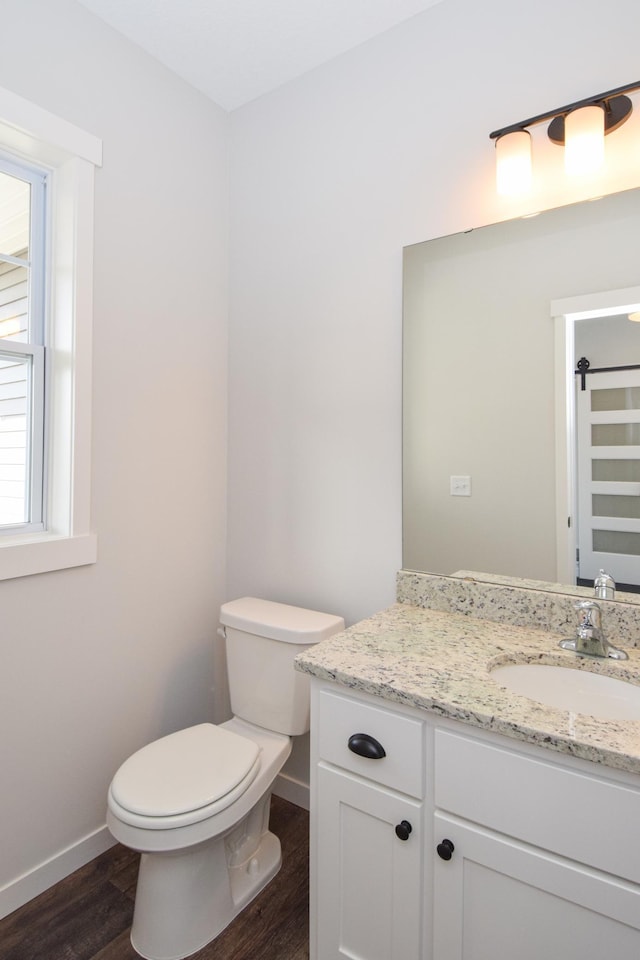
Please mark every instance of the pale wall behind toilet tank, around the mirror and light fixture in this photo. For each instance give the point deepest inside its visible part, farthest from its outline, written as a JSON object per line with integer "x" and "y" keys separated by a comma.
{"x": 331, "y": 176}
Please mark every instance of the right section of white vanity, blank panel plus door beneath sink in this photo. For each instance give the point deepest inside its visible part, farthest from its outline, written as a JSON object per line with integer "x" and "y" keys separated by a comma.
{"x": 546, "y": 857}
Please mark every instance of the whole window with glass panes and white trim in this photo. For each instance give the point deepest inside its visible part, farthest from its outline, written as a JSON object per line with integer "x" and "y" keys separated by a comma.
{"x": 46, "y": 264}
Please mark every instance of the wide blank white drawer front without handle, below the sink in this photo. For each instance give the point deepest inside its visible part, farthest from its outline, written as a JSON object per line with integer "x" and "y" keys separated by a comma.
{"x": 589, "y": 819}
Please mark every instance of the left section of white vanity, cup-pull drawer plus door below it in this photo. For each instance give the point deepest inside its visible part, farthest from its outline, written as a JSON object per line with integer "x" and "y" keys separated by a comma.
{"x": 367, "y": 831}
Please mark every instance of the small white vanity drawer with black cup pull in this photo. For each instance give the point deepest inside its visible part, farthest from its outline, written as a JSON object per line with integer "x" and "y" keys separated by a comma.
{"x": 402, "y": 738}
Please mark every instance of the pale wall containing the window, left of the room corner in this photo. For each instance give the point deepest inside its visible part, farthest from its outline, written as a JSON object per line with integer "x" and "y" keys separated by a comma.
{"x": 98, "y": 660}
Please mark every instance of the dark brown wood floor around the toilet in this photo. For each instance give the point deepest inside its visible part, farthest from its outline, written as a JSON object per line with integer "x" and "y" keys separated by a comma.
{"x": 88, "y": 915}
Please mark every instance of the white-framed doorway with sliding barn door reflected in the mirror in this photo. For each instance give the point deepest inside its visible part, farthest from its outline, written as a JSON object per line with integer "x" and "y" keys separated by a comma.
{"x": 598, "y": 438}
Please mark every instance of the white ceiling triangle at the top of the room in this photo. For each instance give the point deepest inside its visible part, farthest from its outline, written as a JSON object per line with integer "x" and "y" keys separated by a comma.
{"x": 237, "y": 50}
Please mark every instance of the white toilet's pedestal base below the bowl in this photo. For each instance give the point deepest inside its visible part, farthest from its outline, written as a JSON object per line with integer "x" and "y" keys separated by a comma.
{"x": 185, "y": 899}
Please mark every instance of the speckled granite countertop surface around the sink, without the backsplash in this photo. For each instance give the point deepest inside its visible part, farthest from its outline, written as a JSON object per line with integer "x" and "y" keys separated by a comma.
{"x": 441, "y": 662}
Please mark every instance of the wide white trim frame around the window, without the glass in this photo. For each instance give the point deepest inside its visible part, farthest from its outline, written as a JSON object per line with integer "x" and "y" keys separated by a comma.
{"x": 70, "y": 155}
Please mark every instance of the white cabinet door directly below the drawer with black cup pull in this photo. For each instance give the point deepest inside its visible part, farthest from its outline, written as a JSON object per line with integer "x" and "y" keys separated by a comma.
{"x": 369, "y": 888}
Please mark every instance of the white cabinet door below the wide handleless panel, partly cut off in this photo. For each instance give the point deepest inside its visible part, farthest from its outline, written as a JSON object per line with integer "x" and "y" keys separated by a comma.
{"x": 497, "y": 899}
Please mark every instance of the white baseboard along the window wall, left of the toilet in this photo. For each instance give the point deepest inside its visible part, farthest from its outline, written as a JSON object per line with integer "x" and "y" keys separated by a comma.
{"x": 36, "y": 881}
